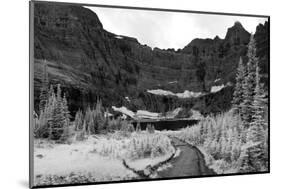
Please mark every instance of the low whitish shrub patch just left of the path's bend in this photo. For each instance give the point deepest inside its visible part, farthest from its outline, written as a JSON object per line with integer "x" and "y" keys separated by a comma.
{"x": 136, "y": 146}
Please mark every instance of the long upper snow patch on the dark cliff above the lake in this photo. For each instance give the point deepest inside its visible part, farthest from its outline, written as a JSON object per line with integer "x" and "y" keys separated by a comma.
{"x": 185, "y": 94}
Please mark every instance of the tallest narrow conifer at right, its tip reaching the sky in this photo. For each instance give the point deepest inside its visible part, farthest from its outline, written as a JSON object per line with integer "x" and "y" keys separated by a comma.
{"x": 249, "y": 84}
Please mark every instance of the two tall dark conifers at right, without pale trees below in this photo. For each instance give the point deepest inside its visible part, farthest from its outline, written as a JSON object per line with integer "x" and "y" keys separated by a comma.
{"x": 249, "y": 96}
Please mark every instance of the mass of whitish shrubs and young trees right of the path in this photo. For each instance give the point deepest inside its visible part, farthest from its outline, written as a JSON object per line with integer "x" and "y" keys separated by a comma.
{"x": 222, "y": 139}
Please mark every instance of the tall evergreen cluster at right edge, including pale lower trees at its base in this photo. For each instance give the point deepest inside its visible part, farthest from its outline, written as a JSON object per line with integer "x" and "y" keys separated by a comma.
{"x": 249, "y": 102}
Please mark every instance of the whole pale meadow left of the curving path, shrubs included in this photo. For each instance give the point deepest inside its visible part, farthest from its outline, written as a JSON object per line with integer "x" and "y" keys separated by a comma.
{"x": 98, "y": 158}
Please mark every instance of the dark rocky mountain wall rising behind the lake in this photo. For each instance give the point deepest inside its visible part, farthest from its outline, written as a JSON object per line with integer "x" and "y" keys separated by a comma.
{"x": 90, "y": 62}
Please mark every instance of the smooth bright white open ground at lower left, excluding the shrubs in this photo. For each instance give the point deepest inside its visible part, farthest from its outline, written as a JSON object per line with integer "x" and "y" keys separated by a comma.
{"x": 77, "y": 158}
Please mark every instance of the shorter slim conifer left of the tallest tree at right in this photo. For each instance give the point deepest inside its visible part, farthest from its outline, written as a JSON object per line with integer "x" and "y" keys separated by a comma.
{"x": 238, "y": 92}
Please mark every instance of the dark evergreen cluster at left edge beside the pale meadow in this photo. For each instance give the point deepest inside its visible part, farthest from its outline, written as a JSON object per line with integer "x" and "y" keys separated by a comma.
{"x": 54, "y": 117}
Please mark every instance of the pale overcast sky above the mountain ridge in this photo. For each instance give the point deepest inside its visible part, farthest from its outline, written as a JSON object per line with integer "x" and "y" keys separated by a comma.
{"x": 169, "y": 29}
